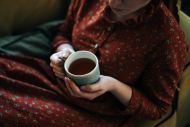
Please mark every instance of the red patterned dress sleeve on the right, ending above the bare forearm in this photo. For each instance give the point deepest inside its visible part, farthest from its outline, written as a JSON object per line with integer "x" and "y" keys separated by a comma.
{"x": 159, "y": 80}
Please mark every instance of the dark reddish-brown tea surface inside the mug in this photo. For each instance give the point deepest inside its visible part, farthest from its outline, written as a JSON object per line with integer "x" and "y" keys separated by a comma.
{"x": 81, "y": 66}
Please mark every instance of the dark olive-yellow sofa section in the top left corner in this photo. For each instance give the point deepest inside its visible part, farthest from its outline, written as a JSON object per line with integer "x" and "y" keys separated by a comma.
{"x": 19, "y": 15}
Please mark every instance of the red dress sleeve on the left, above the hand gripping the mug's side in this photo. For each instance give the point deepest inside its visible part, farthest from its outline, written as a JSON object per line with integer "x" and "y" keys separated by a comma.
{"x": 64, "y": 34}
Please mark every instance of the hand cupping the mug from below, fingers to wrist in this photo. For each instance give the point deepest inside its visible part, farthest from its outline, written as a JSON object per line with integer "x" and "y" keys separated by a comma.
{"x": 91, "y": 91}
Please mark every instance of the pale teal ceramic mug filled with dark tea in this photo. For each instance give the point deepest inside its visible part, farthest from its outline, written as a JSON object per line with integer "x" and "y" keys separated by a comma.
{"x": 82, "y": 67}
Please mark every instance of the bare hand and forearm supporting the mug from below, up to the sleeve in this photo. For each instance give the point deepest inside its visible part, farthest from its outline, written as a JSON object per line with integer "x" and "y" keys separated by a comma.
{"x": 121, "y": 91}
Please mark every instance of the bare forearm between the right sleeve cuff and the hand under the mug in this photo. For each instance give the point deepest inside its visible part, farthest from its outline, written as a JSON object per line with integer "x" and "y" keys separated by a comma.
{"x": 122, "y": 91}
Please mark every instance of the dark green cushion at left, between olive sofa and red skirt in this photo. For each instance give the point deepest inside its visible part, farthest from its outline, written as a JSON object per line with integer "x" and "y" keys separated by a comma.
{"x": 36, "y": 43}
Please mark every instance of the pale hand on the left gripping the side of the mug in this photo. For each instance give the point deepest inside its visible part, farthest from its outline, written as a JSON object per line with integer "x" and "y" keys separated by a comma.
{"x": 57, "y": 59}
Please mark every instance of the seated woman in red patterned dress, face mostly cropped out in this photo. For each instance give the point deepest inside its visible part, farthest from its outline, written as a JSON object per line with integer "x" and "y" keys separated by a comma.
{"x": 142, "y": 53}
